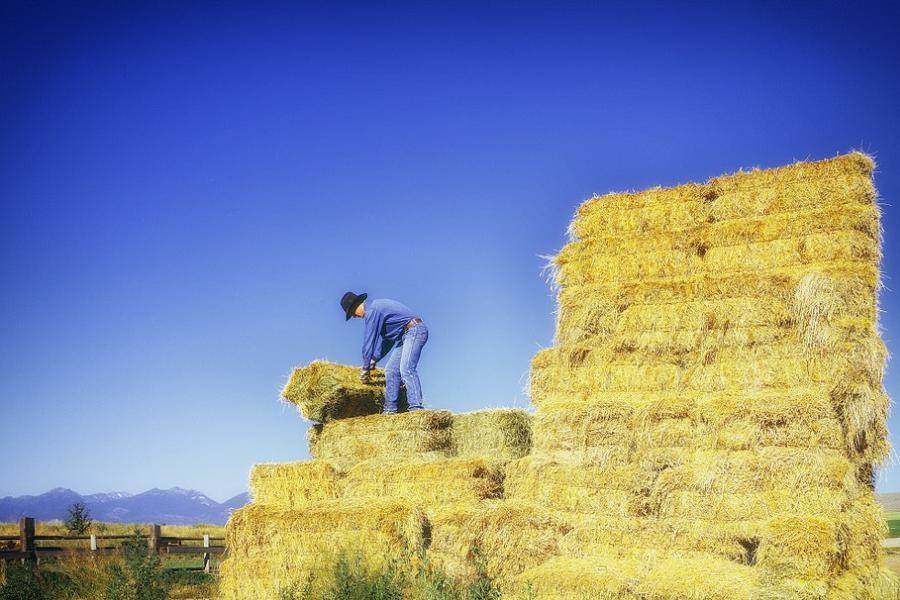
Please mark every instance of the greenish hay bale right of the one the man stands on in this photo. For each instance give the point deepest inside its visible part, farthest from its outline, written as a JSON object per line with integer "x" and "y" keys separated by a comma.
{"x": 500, "y": 433}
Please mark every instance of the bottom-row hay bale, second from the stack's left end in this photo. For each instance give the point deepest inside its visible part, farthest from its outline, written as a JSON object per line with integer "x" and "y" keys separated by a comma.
{"x": 509, "y": 536}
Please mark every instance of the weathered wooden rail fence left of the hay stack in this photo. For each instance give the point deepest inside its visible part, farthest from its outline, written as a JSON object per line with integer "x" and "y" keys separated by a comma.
{"x": 27, "y": 549}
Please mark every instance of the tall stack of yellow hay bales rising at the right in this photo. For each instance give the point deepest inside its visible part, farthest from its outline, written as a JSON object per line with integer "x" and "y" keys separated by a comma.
{"x": 710, "y": 417}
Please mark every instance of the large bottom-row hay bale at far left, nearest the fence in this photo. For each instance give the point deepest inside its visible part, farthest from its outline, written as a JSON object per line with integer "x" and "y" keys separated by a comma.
{"x": 271, "y": 550}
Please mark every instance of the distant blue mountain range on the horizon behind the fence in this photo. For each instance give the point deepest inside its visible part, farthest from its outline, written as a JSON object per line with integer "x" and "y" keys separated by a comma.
{"x": 175, "y": 506}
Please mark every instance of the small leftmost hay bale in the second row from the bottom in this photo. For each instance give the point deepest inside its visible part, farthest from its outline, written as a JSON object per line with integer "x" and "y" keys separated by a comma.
{"x": 295, "y": 484}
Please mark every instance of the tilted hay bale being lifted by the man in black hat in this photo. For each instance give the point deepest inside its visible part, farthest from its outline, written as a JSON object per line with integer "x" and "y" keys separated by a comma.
{"x": 324, "y": 391}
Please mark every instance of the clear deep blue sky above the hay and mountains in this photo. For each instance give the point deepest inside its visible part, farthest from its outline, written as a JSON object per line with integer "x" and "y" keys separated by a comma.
{"x": 187, "y": 191}
